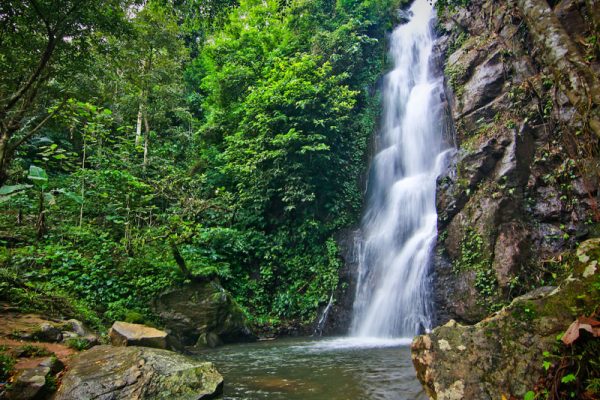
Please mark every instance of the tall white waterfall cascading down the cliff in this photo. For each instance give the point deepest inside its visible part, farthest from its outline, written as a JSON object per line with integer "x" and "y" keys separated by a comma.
{"x": 399, "y": 227}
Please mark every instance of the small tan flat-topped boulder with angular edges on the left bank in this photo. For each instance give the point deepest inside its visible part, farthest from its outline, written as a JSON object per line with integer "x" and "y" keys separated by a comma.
{"x": 126, "y": 334}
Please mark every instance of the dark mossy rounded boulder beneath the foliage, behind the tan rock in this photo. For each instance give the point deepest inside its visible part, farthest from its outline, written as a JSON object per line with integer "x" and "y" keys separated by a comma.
{"x": 202, "y": 313}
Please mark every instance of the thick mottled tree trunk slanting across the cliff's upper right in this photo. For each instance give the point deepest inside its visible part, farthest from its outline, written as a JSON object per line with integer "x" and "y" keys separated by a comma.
{"x": 576, "y": 78}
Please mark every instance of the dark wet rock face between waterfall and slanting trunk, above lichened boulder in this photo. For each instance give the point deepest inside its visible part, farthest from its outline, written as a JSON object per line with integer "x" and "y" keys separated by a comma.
{"x": 512, "y": 196}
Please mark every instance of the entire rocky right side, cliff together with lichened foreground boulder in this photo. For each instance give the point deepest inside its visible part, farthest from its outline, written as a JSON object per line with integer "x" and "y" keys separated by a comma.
{"x": 520, "y": 196}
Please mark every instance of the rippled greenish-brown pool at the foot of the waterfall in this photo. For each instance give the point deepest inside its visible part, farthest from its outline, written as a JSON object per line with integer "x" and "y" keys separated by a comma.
{"x": 313, "y": 369}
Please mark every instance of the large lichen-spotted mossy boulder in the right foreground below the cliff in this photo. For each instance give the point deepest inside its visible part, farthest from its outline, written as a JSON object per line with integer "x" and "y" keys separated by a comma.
{"x": 502, "y": 356}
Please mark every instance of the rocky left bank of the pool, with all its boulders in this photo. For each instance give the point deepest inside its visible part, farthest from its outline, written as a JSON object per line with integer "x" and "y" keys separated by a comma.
{"x": 140, "y": 361}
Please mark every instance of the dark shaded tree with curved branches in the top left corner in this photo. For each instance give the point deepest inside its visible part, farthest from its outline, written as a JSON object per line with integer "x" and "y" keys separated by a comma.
{"x": 43, "y": 47}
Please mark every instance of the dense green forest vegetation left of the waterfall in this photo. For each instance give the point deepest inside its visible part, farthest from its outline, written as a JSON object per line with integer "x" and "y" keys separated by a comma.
{"x": 142, "y": 145}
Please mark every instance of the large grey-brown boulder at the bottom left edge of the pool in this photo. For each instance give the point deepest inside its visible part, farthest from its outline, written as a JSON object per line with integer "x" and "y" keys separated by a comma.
{"x": 114, "y": 373}
